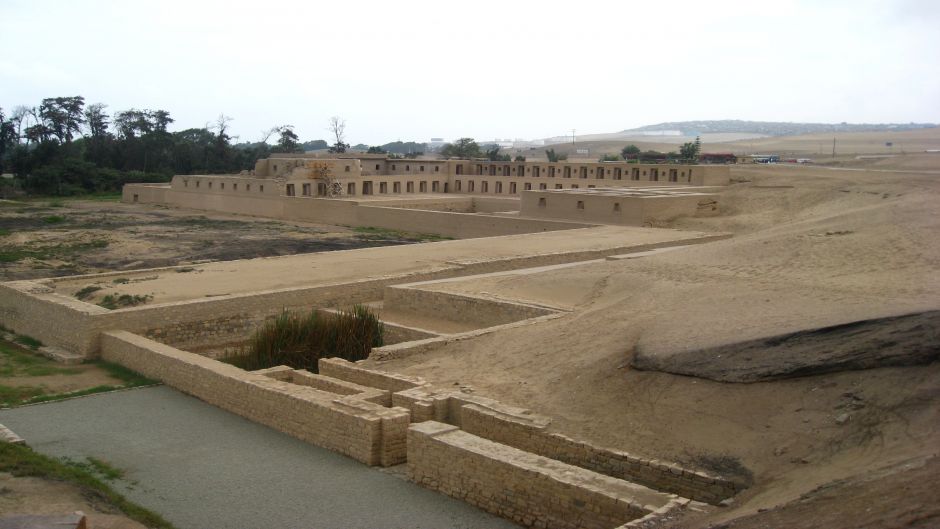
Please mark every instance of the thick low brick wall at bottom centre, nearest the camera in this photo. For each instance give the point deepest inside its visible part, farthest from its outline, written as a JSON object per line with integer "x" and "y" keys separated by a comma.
{"x": 528, "y": 489}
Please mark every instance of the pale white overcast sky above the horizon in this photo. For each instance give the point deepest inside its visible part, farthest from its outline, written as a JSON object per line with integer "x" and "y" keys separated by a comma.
{"x": 412, "y": 70}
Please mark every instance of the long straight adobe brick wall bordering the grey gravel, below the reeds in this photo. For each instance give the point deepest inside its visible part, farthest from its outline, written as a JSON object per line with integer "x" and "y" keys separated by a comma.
{"x": 367, "y": 432}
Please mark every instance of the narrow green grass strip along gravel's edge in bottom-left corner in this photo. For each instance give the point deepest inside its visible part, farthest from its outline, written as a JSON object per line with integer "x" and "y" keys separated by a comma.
{"x": 22, "y": 461}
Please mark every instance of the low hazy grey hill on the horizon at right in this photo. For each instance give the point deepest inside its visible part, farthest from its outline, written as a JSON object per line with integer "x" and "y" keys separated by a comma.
{"x": 772, "y": 128}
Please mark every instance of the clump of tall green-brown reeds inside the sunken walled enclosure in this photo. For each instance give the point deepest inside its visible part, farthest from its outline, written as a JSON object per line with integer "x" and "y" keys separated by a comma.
{"x": 300, "y": 340}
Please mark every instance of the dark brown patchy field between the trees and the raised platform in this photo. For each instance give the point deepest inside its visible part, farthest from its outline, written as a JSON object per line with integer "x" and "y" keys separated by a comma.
{"x": 69, "y": 237}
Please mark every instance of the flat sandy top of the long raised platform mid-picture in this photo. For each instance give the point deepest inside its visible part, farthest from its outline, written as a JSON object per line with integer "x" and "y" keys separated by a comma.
{"x": 216, "y": 279}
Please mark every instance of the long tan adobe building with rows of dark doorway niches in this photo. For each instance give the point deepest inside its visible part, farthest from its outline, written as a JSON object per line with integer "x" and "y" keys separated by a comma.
{"x": 278, "y": 186}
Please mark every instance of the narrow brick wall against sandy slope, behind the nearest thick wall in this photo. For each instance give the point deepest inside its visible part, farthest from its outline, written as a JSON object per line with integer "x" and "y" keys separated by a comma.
{"x": 526, "y": 434}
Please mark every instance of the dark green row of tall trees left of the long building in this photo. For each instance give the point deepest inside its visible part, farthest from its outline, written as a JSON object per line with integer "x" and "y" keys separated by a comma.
{"x": 63, "y": 146}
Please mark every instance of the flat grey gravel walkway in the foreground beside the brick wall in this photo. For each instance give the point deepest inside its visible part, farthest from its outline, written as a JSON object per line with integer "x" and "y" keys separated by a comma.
{"x": 202, "y": 467}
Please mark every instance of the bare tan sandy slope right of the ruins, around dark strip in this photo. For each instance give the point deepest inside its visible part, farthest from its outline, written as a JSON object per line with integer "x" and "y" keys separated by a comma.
{"x": 811, "y": 247}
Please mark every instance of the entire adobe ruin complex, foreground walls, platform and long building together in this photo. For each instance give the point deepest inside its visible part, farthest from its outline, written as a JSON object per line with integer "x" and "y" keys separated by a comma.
{"x": 505, "y": 218}
